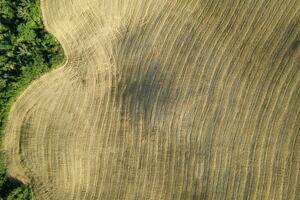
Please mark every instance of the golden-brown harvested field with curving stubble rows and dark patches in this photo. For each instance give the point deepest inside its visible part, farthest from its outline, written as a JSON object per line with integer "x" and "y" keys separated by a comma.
{"x": 159, "y": 99}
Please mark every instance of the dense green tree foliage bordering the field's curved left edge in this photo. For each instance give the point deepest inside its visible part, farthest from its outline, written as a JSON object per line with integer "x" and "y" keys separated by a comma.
{"x": 26, "y": 52}
